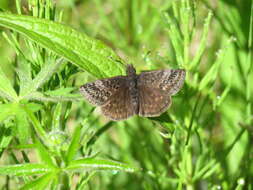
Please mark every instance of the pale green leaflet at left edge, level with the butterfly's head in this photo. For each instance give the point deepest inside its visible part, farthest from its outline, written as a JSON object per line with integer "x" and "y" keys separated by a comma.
{"x": 6, "y": 89}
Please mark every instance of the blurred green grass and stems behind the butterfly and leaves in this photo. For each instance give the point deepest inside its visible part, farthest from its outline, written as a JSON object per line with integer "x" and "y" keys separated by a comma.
{"x": 205, "y": 139}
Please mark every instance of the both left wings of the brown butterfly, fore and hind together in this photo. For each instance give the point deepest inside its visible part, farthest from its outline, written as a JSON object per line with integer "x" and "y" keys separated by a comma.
{"x": 113, "y": 95}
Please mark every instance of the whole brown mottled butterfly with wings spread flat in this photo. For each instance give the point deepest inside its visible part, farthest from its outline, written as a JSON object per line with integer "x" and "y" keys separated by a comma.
{"x": 147, "y": 94}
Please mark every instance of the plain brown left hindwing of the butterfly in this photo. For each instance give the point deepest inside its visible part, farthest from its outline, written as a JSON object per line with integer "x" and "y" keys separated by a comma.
{"x": 120, "y": 106}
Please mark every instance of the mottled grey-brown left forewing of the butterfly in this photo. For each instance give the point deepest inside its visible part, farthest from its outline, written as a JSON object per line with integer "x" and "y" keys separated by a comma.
{"x": 99, "y": 92}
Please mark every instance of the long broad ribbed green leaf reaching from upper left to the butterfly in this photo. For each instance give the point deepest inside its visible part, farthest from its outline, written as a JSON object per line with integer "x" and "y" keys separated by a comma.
{"x": 87, "y": 53}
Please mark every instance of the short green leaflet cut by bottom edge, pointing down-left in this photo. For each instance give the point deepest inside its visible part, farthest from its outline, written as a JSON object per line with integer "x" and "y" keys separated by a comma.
{"x": 40, "y": 183}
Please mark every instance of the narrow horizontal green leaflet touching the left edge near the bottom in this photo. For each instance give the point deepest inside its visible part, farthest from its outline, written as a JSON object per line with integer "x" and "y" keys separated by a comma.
{"x": 25, "y": 169}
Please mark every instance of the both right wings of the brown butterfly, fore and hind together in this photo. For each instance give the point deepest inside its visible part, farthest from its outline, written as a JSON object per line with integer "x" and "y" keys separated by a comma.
{"x": 155, "y": 89}
